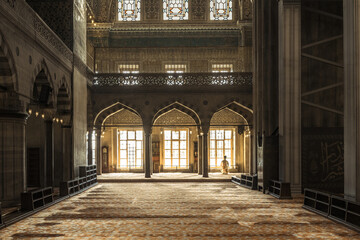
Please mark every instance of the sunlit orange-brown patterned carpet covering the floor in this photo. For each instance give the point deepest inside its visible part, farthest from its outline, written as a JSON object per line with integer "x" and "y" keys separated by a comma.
{"x": 176, "y": 211}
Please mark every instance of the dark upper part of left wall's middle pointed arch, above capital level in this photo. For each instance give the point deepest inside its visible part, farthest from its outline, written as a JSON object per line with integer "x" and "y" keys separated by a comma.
{"x": 42, "y": 81}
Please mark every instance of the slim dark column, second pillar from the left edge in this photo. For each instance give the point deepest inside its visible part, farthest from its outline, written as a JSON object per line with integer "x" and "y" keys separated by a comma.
{"x": 49, "y": 153}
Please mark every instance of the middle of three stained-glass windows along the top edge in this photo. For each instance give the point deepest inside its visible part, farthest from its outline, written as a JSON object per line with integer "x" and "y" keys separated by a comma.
{"x": 176, "y": 9}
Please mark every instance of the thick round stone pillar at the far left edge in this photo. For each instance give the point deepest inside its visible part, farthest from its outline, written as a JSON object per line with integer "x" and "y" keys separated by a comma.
{"x": 12, "y": 157}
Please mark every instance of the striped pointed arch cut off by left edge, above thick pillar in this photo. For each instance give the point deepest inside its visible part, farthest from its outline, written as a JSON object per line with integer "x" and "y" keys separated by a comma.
{"x": 8, "y": 73}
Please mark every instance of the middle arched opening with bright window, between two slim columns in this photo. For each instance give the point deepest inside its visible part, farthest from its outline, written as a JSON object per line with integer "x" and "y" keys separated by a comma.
{"x": 174, "y": 142}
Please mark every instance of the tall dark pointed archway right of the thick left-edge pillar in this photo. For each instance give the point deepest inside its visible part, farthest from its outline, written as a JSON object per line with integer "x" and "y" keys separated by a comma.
{"x": 39, "y": 131}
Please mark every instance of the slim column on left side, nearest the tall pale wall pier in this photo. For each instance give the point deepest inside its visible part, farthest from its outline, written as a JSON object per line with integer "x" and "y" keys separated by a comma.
{"x": 68, "y": 162}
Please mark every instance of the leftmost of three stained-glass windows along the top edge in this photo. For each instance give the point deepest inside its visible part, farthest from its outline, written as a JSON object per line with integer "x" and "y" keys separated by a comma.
{"x": 129, "y": 10}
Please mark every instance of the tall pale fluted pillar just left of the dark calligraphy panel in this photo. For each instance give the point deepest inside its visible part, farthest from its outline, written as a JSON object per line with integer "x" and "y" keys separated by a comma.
{"x": 290, "y": 93}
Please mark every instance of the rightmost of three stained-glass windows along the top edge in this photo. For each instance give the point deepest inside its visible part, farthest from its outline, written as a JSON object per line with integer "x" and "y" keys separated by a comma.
{"x": 220, "y": 9}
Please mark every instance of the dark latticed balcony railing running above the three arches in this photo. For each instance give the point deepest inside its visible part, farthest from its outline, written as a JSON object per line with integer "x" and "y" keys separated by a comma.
{"x": 174, "y": 79}
